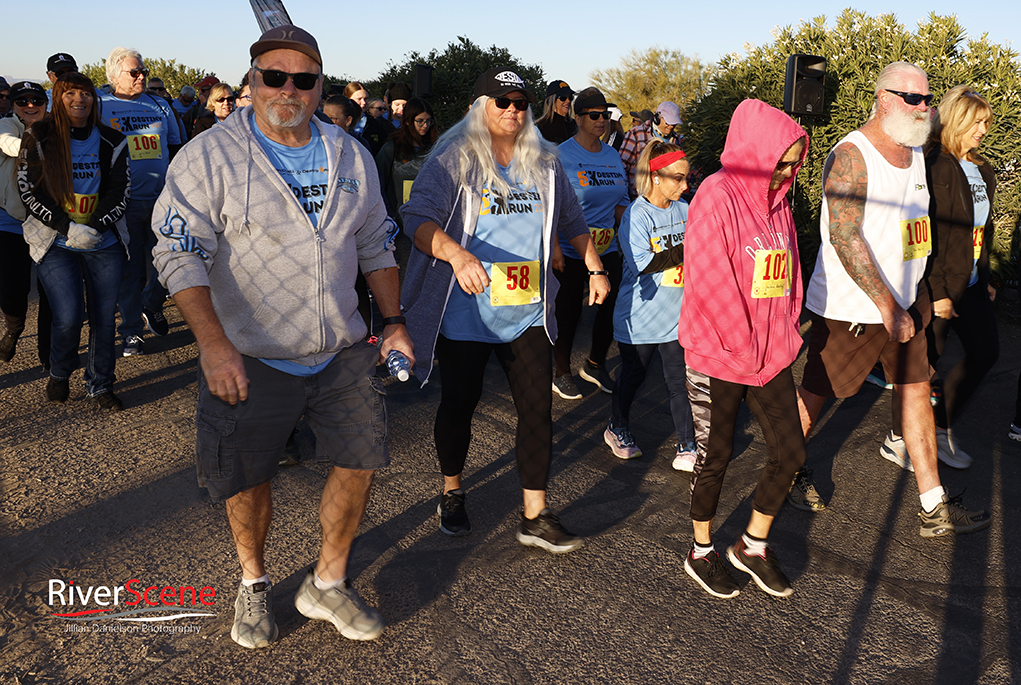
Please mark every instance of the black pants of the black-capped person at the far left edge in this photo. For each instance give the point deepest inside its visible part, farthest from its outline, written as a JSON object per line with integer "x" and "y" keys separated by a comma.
{"x": 16, "y": 283}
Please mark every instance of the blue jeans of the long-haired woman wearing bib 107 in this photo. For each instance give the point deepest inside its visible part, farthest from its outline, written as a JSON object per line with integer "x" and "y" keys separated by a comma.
{"x": 64, "y": 273}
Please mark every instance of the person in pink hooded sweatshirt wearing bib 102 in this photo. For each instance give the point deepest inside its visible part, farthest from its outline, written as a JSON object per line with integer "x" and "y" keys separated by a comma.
{"x": 740, "y": 329}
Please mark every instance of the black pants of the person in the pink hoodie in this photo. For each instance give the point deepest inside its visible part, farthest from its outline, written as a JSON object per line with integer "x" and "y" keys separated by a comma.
{"x": 775, "y": 408}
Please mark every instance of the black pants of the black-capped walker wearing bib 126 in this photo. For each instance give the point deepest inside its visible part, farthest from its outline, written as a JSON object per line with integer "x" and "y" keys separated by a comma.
{"x": 569, "y": 308}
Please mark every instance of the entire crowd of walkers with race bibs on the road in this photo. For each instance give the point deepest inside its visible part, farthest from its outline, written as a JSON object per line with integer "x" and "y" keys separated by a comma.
{"x": 270, "y": 214}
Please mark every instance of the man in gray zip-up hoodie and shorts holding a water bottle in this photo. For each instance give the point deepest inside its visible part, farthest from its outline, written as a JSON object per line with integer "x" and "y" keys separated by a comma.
{"x": 264, "y": 224}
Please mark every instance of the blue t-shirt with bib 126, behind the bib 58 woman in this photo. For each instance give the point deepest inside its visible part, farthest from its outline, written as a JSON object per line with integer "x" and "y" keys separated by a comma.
{"x": 602, "y": 184}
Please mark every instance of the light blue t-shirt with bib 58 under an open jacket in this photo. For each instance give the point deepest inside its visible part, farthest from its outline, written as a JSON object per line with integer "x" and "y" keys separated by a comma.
{"x": 508, "y": 241}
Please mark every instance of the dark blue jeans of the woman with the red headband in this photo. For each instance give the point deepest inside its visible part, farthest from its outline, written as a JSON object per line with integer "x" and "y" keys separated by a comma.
{"x": 636, "y": 361}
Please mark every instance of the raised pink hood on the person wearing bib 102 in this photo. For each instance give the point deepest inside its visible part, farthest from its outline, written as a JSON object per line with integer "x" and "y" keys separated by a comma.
{"x": 757, "y": 140}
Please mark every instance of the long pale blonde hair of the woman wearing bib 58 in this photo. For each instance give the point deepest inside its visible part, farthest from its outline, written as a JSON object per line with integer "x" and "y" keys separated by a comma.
{"x": 470, "y": 137}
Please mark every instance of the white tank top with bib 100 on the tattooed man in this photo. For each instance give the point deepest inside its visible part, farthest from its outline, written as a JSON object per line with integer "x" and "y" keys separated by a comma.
{"x": 896, "y": 228}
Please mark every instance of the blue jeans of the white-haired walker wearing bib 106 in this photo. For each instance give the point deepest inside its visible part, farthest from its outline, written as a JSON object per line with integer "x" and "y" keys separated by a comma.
{"x": 139, "y": 285}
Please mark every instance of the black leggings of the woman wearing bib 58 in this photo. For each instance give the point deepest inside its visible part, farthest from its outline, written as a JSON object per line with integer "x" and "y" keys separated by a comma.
{"x": 527, "y": 365}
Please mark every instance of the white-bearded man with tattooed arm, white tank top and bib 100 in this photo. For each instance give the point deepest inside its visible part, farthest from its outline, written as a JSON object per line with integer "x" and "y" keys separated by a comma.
{"x": 867, "y": 297}
